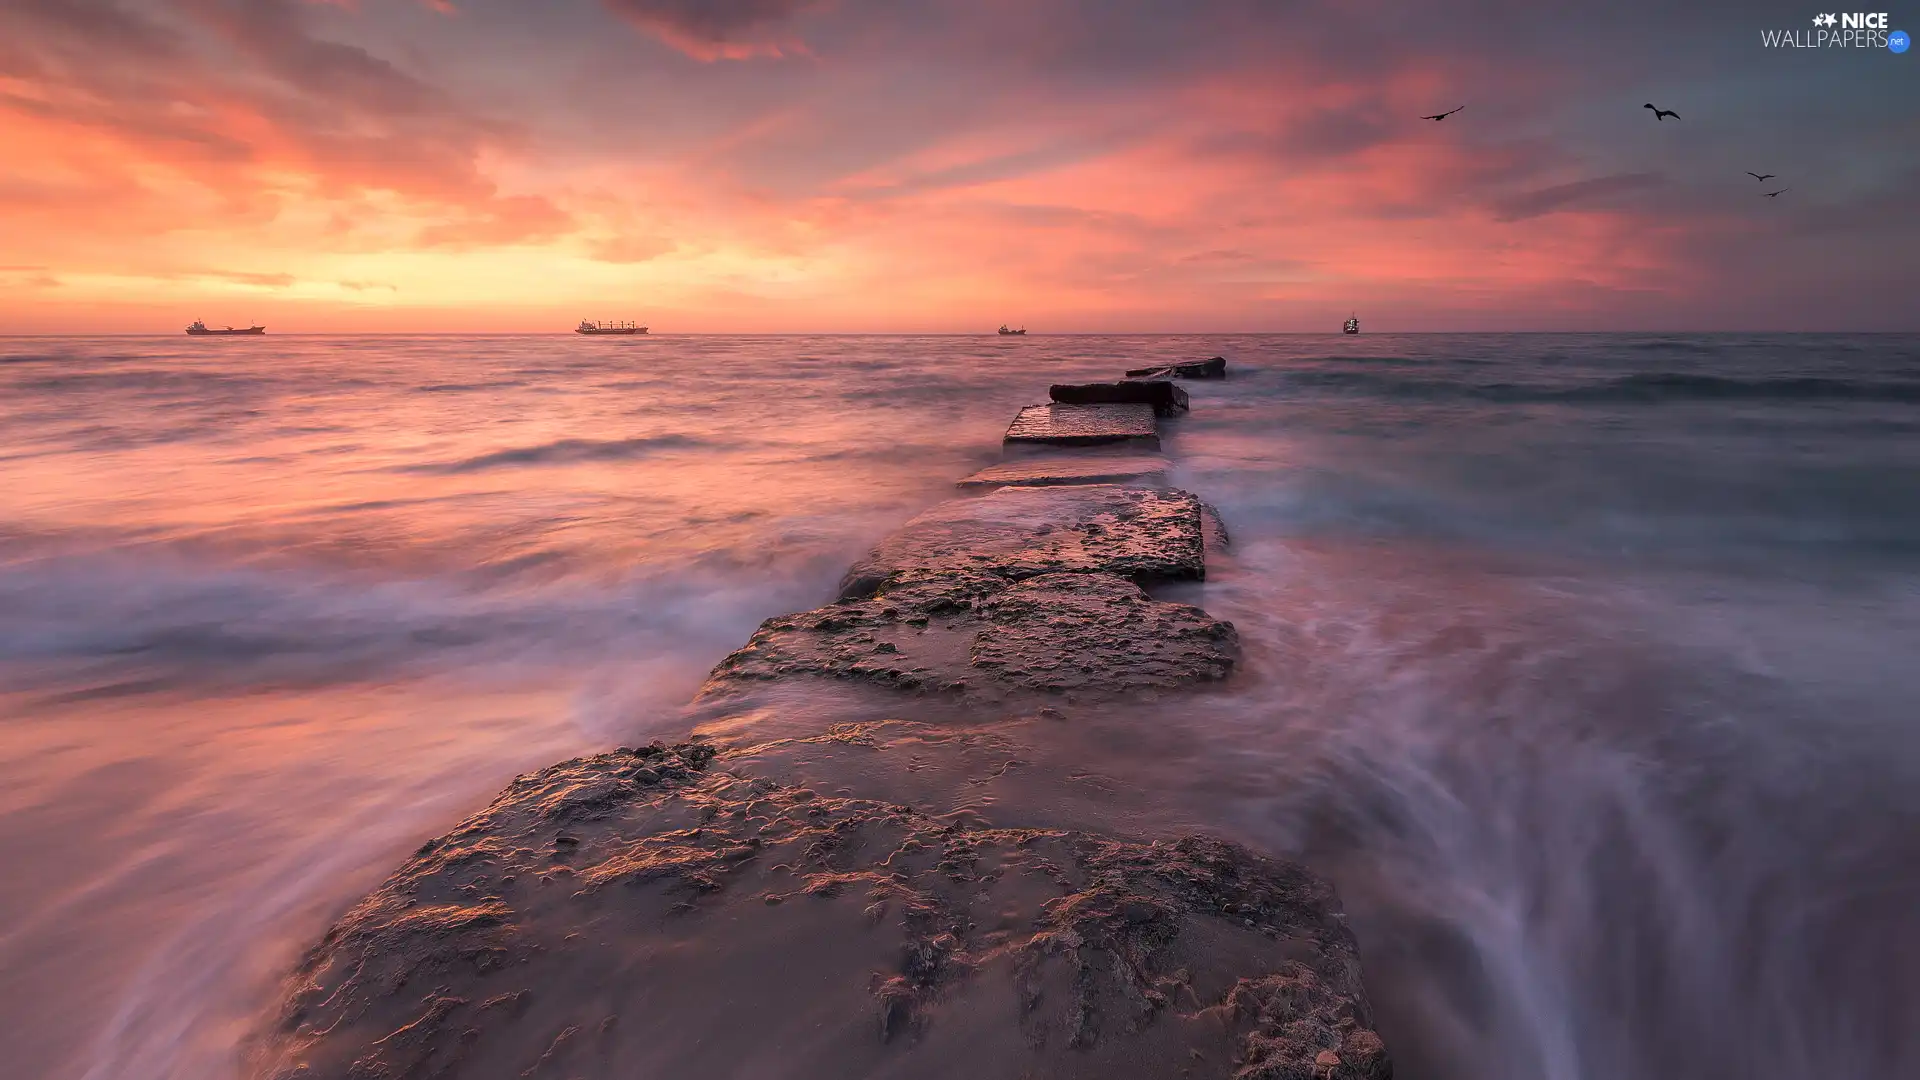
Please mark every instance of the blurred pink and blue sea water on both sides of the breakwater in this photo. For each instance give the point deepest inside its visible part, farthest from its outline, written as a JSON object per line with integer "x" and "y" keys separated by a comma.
{"x": 1585, "y": 666}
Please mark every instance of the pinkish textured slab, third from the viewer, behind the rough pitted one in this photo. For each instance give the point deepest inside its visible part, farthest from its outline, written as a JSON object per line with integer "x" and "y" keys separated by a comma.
{"x": 1145, "y": 535}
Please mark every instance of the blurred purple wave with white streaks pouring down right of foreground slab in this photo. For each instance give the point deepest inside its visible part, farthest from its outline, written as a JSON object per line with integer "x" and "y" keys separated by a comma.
{"x": 1589, "y": 835}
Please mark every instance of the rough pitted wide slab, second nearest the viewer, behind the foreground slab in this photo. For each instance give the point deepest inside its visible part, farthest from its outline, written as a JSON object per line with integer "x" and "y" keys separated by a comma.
{"x": 955, "y": 631}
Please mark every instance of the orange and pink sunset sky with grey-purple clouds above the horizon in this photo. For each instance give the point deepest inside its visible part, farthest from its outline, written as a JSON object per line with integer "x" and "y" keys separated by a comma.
{"x": 915, "y": 166}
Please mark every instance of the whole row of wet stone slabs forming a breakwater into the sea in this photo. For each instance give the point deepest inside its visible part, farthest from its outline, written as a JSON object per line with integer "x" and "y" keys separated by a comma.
{"x": 706, "y": 908}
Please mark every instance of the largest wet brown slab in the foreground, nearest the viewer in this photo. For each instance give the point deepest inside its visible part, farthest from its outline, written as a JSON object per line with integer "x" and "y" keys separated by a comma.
{"x": 648, "y": 914}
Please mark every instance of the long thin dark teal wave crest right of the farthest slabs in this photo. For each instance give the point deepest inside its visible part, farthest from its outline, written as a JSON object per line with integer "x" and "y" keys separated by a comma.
{"x": 1652, "y": 387}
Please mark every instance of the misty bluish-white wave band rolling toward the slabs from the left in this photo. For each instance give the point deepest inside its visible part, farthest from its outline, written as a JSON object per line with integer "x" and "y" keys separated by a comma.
{"x": 85, "y": 626}
